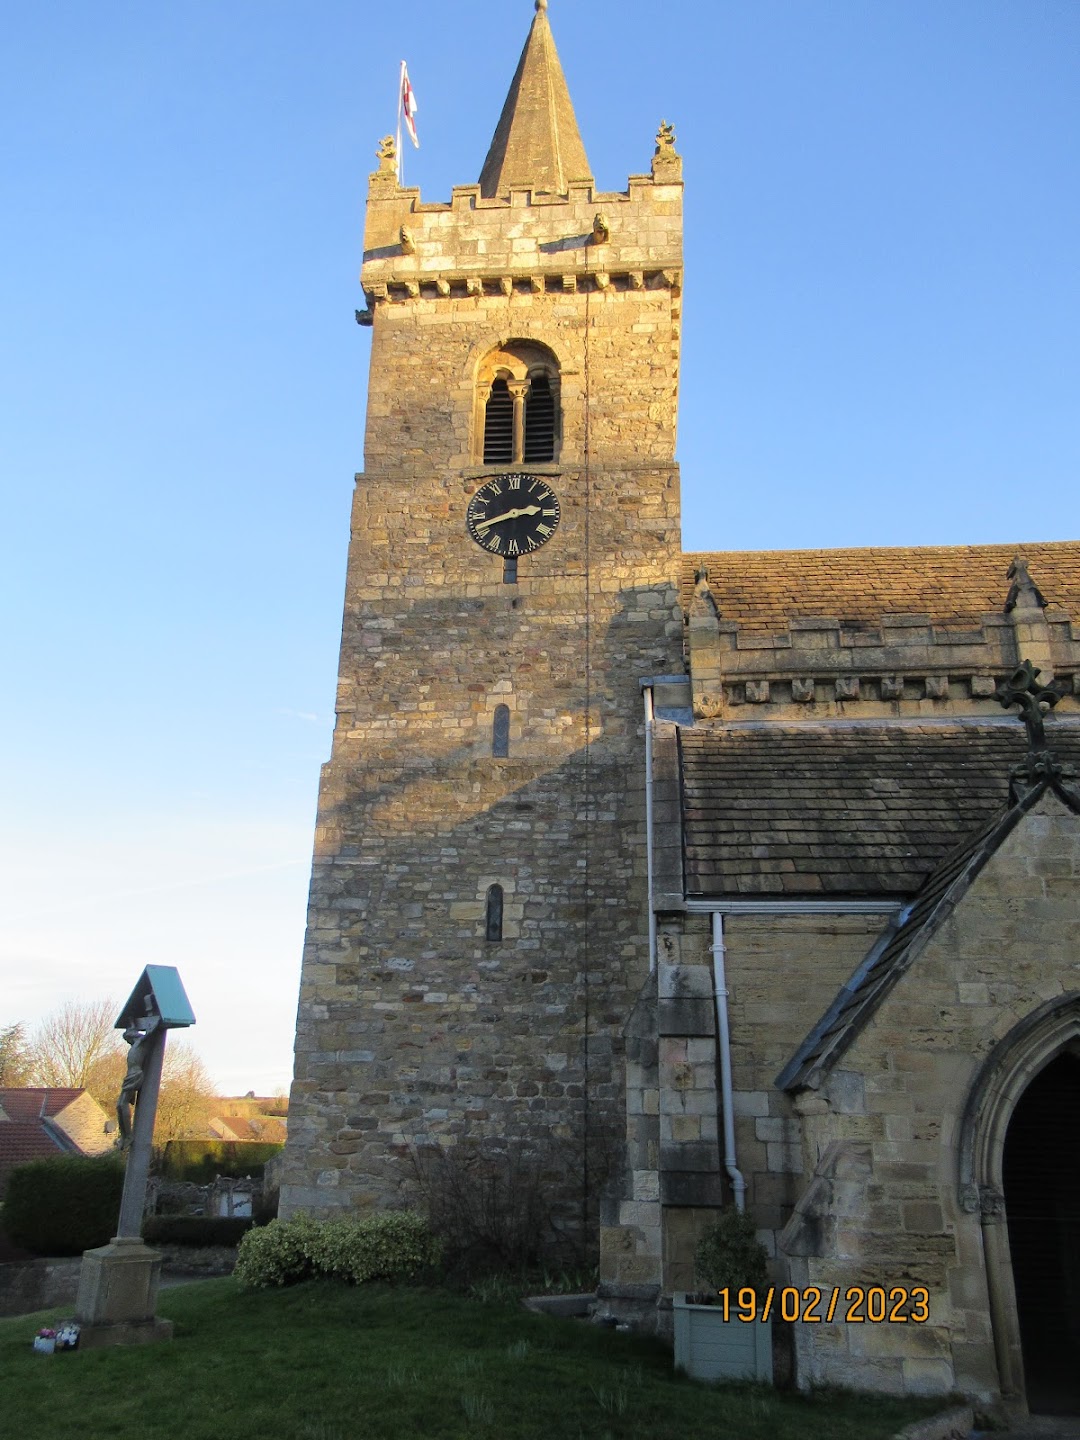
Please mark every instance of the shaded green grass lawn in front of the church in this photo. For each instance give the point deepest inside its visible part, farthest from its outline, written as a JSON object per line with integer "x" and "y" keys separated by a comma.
{"x": 323, "y": 1362}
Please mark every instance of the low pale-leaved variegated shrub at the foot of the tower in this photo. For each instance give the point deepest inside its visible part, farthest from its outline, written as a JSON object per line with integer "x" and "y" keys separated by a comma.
{"x": 387, "y": 1246}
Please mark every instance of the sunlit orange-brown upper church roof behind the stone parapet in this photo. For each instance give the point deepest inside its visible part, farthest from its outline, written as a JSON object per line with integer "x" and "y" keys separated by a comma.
{"x": 953, "y": 585}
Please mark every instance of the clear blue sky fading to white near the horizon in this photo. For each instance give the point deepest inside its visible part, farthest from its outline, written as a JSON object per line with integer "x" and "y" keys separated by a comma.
{"x": 881, "y": 348}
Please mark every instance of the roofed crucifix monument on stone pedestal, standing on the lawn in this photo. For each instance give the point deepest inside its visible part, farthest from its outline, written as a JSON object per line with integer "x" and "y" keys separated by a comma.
{"x": 119, "y": 1282}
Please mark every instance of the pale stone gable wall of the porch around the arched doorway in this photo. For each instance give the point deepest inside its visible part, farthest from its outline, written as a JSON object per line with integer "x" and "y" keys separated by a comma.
{"x": 883, "y": 1137}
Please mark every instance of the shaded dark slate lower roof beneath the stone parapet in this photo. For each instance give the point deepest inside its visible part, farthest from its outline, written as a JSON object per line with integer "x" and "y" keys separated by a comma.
{"x": 842, "y": 810}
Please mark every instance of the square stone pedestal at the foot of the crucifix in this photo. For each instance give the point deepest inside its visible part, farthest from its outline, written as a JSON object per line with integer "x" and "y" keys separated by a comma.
{"x": 117, "y": 1297}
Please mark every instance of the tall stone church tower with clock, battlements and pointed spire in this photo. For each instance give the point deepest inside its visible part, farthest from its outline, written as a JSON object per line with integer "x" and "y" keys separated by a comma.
{"x": 479, "y": 914}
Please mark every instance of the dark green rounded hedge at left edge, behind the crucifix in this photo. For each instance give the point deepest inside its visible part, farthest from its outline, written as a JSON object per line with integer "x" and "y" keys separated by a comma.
{"x": 64, "y": 1206}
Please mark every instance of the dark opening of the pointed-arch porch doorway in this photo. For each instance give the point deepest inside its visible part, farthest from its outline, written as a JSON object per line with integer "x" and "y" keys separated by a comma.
{"x": 1042, "y": 1186}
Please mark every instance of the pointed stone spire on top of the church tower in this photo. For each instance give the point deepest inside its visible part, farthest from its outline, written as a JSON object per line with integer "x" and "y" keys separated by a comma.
{"x": 536, "y": 143}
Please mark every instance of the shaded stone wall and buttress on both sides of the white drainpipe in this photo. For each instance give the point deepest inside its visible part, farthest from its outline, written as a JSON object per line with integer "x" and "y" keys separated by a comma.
{"x": 783, "y": 974}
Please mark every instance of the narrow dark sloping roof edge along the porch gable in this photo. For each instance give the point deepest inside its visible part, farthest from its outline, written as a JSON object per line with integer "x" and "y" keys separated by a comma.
{"x": 902, "y": 942}
